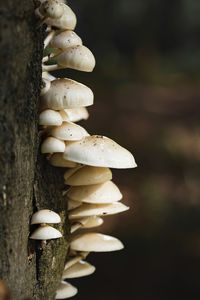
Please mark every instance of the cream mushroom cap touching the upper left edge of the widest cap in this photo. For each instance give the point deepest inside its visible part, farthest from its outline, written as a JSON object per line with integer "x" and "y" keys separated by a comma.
{"x": 68, "y": 131}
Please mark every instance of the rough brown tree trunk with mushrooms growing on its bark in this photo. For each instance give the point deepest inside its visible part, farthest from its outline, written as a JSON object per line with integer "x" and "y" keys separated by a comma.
{"x": 27, "y": 182}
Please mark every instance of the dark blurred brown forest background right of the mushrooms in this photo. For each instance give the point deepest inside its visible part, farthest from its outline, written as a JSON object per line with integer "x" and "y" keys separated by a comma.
{"x": 146, "y": 86}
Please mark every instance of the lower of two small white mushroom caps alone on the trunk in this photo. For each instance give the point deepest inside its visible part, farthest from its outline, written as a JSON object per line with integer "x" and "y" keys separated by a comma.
{"x": 45, "y": 232}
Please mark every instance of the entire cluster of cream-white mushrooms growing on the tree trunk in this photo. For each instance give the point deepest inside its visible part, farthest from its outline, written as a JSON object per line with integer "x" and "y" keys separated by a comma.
{"x": 91, "y": 193}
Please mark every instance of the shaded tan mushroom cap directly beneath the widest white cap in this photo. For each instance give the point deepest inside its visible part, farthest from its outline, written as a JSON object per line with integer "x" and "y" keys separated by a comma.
{"x": 88, "y": 175}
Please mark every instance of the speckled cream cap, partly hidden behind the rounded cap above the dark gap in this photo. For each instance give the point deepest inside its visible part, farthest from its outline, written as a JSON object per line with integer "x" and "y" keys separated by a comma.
{"x": 65, "y": 39}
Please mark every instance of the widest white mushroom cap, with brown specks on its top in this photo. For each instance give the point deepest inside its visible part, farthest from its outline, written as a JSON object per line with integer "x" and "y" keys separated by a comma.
{"x": 99, "y": 151}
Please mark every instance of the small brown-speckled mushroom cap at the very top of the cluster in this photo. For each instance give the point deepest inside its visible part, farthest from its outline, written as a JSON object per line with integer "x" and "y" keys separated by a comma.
{"x": 51, "y": 8}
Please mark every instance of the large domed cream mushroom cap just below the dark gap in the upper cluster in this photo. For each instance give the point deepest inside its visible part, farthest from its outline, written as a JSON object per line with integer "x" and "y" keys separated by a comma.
{"x": 67, "y": 93}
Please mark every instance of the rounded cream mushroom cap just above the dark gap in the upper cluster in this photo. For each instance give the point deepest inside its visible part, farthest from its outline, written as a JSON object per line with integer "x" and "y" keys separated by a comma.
{"x": 77, "y": 57}
